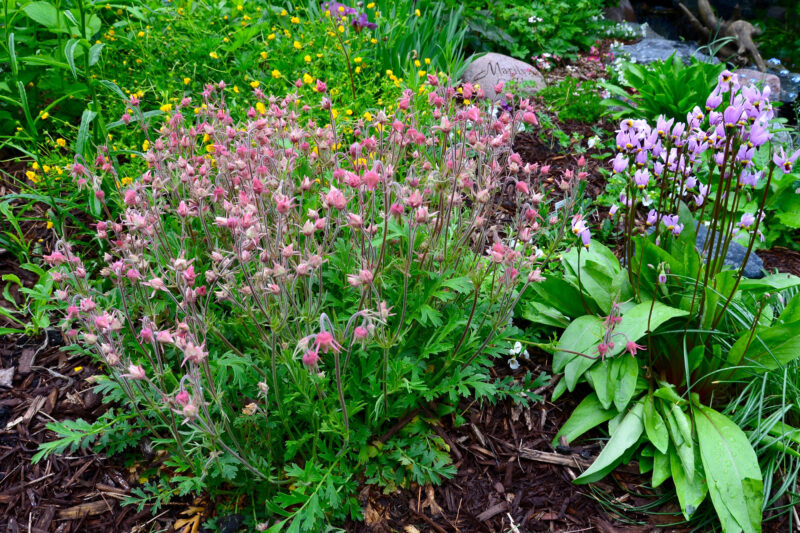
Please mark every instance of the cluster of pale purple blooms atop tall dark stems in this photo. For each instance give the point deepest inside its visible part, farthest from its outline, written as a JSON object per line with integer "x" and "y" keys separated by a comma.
{"x": 725, "y": 135}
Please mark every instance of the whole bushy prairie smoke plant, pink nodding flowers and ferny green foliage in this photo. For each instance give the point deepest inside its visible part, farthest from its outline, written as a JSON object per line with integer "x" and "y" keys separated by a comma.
{"x": 277, "y": 294}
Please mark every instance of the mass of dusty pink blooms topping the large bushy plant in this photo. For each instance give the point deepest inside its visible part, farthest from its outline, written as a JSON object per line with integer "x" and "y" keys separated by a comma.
{"x": 248, "y": 215}
